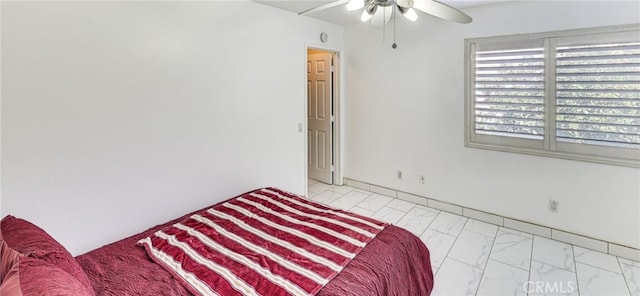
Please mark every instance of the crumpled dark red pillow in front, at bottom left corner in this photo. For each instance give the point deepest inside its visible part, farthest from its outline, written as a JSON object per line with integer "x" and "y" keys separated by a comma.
{"x": 34, "y": 277}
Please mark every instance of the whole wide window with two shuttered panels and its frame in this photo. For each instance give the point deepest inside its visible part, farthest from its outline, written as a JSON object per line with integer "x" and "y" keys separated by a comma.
{"x": 571, "y": 94}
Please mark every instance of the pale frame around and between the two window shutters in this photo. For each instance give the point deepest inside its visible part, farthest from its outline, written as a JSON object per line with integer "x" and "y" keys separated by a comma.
{"x": 549, "y": 146}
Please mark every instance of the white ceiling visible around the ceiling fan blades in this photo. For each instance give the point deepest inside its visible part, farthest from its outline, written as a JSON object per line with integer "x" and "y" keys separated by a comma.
{"x": 340, "y": 16}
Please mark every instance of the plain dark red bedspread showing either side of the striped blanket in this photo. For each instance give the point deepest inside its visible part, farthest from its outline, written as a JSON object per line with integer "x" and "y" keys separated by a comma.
{"x": 395, "y": 263}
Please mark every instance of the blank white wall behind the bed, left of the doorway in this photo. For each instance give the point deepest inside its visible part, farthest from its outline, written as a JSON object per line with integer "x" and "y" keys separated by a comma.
{"x": 119, "y": 116}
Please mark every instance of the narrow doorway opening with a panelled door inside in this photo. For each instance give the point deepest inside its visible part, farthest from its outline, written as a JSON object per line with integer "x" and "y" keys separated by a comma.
{"x": 322, "y": 119}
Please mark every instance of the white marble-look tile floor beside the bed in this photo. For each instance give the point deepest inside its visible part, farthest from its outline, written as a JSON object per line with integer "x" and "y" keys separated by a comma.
{"x": 470, "y": 257}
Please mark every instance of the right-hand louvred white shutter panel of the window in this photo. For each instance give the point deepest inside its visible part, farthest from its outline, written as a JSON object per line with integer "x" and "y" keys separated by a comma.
{"x": 598, "y": 94}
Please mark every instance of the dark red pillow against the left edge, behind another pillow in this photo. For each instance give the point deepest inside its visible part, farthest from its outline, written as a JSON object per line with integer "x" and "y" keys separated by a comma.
{"x": 30, "y": 240}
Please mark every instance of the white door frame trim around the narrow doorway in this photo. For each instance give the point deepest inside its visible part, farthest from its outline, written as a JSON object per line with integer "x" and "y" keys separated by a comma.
{"x": 338, "y": 94}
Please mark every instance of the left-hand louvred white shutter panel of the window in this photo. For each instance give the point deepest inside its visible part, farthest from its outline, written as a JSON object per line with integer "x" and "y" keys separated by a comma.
{"x": 509, "y": 92}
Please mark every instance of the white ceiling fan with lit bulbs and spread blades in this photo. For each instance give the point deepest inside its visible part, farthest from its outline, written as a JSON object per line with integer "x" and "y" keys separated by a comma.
{"x": 379, "y": 12}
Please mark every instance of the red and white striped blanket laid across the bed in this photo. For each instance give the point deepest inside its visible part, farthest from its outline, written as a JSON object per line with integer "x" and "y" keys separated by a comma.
{"x": 265, "y": 242}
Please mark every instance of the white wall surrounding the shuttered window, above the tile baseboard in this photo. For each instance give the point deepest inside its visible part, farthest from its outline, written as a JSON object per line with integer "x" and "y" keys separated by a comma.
{"x": 405, "y": 110}
